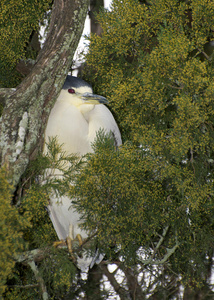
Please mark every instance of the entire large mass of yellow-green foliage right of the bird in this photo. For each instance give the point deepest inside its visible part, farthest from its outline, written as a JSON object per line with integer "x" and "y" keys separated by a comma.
{"x": 151, "y": 62}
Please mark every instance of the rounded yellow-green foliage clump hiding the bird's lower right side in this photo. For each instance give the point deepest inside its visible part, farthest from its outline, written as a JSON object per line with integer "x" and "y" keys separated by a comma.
{"x": 126, "y": 199}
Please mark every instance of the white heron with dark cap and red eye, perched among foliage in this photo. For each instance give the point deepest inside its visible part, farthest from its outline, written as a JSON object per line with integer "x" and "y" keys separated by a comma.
{"x": 75, "y": 119}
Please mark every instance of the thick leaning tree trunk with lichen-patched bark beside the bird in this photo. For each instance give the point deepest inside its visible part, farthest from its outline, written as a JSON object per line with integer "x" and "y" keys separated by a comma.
{"x": 26, "y": 111}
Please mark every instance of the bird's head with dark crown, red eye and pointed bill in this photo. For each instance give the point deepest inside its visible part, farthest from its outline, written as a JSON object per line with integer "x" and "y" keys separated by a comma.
{"x": 79, "y": 92}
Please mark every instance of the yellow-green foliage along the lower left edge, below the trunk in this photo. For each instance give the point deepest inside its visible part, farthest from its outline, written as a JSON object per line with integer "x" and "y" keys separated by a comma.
{"x": 11, "y": 226}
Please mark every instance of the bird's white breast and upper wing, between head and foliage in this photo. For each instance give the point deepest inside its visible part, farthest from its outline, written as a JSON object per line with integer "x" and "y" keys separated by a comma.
{"x": 76, "y": 127}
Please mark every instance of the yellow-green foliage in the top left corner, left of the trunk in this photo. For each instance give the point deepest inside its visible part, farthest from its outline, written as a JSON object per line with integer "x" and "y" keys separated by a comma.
{"x": 17, "y": 21}
